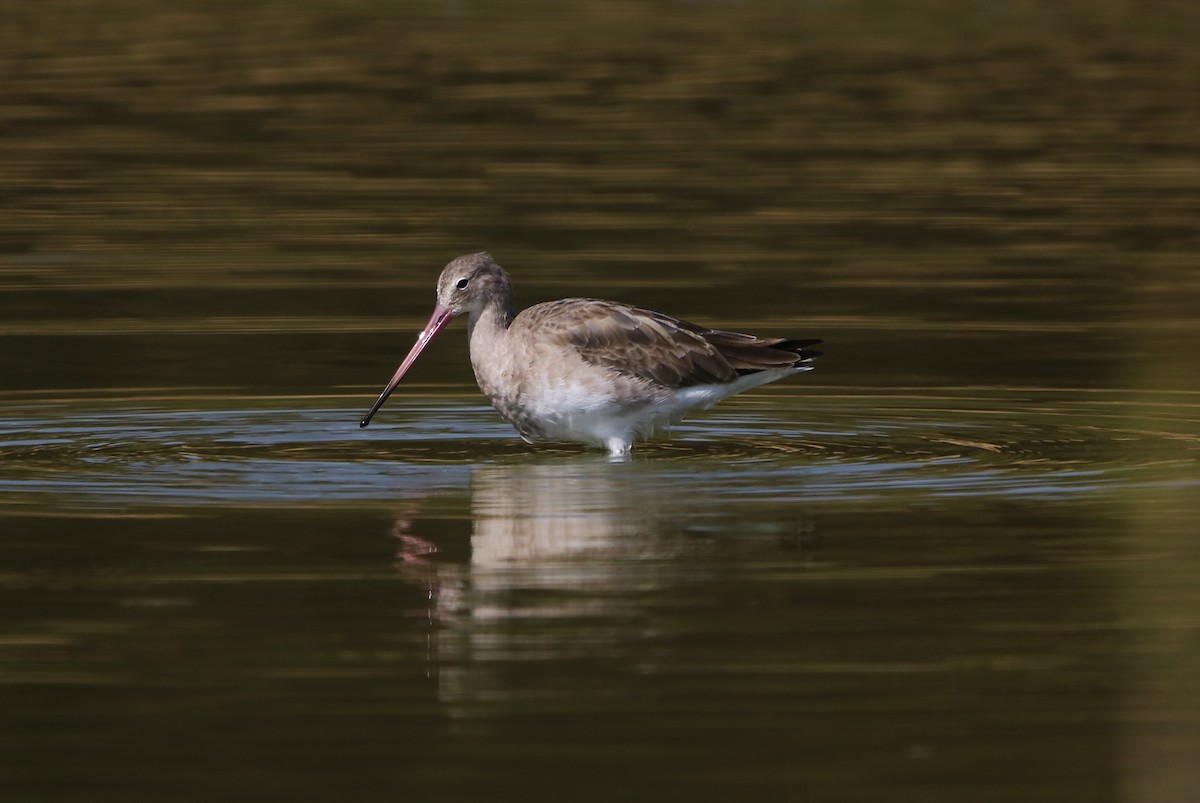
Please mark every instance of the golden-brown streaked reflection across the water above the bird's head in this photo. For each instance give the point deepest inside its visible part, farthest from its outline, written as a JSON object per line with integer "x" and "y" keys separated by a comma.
{"x": 728, "y": 134}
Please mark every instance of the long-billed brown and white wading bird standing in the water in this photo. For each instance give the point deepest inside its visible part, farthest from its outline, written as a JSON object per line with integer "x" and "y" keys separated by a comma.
{"x": 591, "y": 371}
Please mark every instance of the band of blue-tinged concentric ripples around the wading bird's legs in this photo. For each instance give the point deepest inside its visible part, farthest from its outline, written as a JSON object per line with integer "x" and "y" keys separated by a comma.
{"x": 1052, "y": 445}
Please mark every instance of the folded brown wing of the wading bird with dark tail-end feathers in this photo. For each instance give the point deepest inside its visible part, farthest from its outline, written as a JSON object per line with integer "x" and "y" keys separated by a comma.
{"x": 657, "y": 347}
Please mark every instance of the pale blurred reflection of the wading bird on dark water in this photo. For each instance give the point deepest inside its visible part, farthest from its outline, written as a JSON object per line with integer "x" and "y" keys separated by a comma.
{"x": 560, "y": 552}
